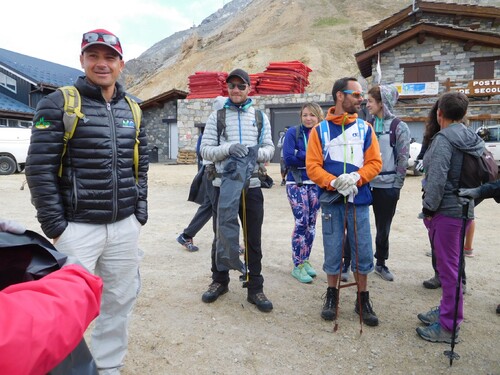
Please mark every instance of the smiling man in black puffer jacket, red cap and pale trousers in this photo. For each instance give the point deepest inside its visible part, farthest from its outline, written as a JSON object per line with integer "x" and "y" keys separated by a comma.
{"x": 96, "y": 208}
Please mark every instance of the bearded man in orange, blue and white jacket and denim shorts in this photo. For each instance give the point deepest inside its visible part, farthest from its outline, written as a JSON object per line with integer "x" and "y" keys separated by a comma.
{"x": 343, "y": 156}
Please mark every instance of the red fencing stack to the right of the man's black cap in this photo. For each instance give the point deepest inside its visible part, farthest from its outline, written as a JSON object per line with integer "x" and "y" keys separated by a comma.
{"x": 287, "y": 77}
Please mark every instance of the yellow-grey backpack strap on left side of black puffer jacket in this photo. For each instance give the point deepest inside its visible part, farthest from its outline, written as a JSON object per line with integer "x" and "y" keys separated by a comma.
{"x": 72, "y": 113}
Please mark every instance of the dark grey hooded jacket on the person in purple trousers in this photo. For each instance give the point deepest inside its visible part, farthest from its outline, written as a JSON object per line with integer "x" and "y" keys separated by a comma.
{"x": 443, "y": 164}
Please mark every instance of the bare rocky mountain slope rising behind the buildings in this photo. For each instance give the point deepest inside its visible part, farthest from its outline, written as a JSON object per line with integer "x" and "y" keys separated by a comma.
{"x": 323, "y": 34}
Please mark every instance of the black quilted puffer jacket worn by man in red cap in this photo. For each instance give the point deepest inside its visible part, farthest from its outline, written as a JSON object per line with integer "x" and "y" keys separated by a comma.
{"x": 98, "y": 183}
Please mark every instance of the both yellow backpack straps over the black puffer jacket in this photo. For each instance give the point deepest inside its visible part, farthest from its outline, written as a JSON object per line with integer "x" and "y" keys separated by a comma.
{"x": 73, "y": 113}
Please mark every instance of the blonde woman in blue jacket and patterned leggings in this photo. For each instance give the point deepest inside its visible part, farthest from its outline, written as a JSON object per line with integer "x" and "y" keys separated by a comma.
{"x": 303, "y": 194}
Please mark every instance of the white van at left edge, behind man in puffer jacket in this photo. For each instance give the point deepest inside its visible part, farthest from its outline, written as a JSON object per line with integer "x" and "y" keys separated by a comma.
{"x": 14, "y": 144}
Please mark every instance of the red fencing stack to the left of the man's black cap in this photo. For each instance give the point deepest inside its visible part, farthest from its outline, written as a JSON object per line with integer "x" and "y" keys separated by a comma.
{"x": 207, "y": 85}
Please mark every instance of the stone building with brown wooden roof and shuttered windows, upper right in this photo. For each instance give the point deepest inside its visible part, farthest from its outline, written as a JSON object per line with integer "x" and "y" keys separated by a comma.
{"x": 429, "y": 48}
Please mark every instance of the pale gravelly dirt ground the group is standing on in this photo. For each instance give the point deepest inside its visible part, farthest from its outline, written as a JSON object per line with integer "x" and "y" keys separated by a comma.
{"x": 173, "y": 332}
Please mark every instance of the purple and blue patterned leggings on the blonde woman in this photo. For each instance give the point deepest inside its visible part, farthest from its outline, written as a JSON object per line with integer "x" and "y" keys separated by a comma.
{"x": 304, "y": 201}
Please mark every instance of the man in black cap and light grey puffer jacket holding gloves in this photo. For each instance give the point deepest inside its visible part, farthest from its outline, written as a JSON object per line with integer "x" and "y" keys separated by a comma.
{"x": 239, "y": 134}
